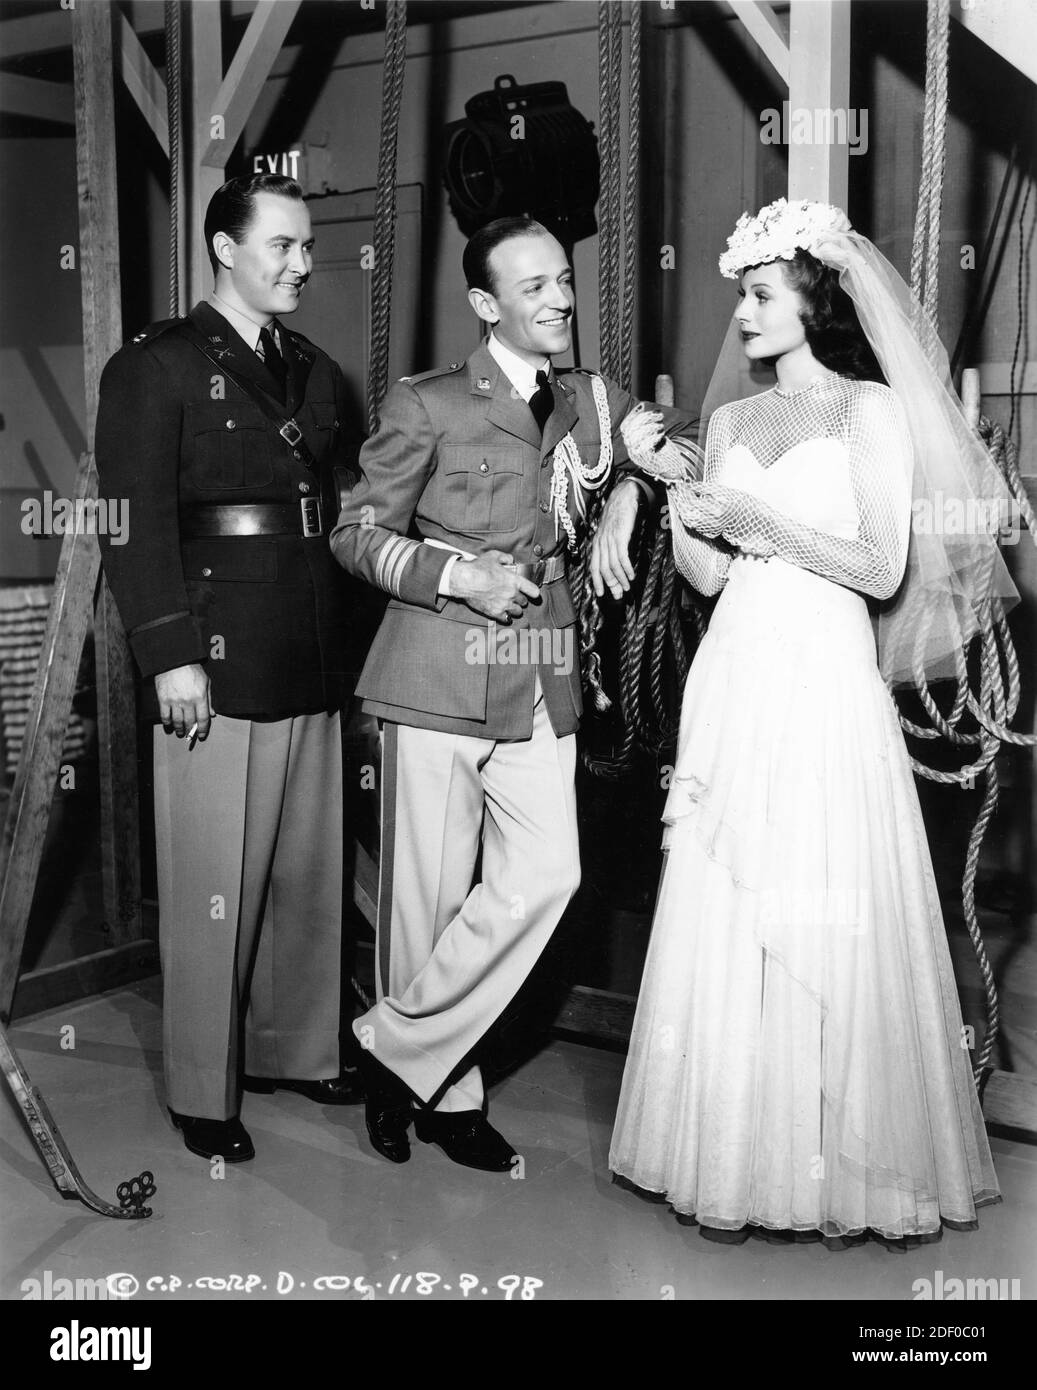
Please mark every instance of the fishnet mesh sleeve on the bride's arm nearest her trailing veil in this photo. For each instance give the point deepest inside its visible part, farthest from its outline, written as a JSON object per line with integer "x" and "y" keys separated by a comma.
{"x": 879, "y": 457}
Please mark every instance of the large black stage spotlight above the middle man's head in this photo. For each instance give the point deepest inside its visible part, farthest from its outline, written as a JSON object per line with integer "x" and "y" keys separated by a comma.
{"x": 523, "y": 149}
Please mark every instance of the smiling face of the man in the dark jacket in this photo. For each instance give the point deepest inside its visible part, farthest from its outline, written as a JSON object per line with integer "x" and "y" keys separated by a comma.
{"x": 273, "y": 262}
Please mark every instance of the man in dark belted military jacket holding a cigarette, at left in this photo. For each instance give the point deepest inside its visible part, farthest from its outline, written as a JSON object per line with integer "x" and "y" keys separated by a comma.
{"x": 223, "y": 432}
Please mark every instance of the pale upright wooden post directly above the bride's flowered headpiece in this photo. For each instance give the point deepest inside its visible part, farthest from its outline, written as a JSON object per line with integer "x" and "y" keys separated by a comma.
{"x": 819, "y": 84}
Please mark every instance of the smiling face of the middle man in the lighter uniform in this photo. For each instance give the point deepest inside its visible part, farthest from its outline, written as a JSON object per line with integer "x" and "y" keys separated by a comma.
{"x": 532, "y": 297}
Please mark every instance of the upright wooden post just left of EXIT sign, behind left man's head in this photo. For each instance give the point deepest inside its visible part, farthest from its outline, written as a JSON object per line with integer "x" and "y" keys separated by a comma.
{"x": 205, "y": 76}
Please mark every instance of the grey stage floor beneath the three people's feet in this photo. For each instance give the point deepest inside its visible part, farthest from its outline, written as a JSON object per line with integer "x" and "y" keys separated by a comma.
{"x": 318, "y": 1202}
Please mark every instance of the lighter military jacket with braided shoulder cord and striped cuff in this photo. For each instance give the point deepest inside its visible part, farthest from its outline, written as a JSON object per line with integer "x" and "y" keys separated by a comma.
{"x": 458, "y": 459}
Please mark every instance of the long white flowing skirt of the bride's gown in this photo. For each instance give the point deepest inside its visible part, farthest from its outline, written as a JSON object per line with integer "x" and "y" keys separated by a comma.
{"x": 799, "y": 1058}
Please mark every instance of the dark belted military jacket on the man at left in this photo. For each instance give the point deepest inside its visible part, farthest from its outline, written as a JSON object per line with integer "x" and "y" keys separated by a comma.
{"x": 272, "y": 618}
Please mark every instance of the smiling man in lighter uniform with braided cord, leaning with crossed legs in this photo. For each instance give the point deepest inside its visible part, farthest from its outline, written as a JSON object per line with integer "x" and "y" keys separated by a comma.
{"x": 462, "y": 516}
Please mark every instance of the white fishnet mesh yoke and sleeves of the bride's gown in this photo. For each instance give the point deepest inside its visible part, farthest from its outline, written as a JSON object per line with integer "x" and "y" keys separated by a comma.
{"x": 860, "y": 416}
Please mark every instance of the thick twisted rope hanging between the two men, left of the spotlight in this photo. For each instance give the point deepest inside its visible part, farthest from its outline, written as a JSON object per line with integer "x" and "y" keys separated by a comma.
{"x": 386, "y": 206}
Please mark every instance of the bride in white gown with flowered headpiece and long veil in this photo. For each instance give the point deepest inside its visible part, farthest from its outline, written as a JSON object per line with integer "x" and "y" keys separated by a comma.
{"x": 799, "y": 1061}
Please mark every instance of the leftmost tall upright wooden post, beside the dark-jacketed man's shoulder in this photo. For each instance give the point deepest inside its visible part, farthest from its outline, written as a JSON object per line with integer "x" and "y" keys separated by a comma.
{"x": 99, "y": 269}
